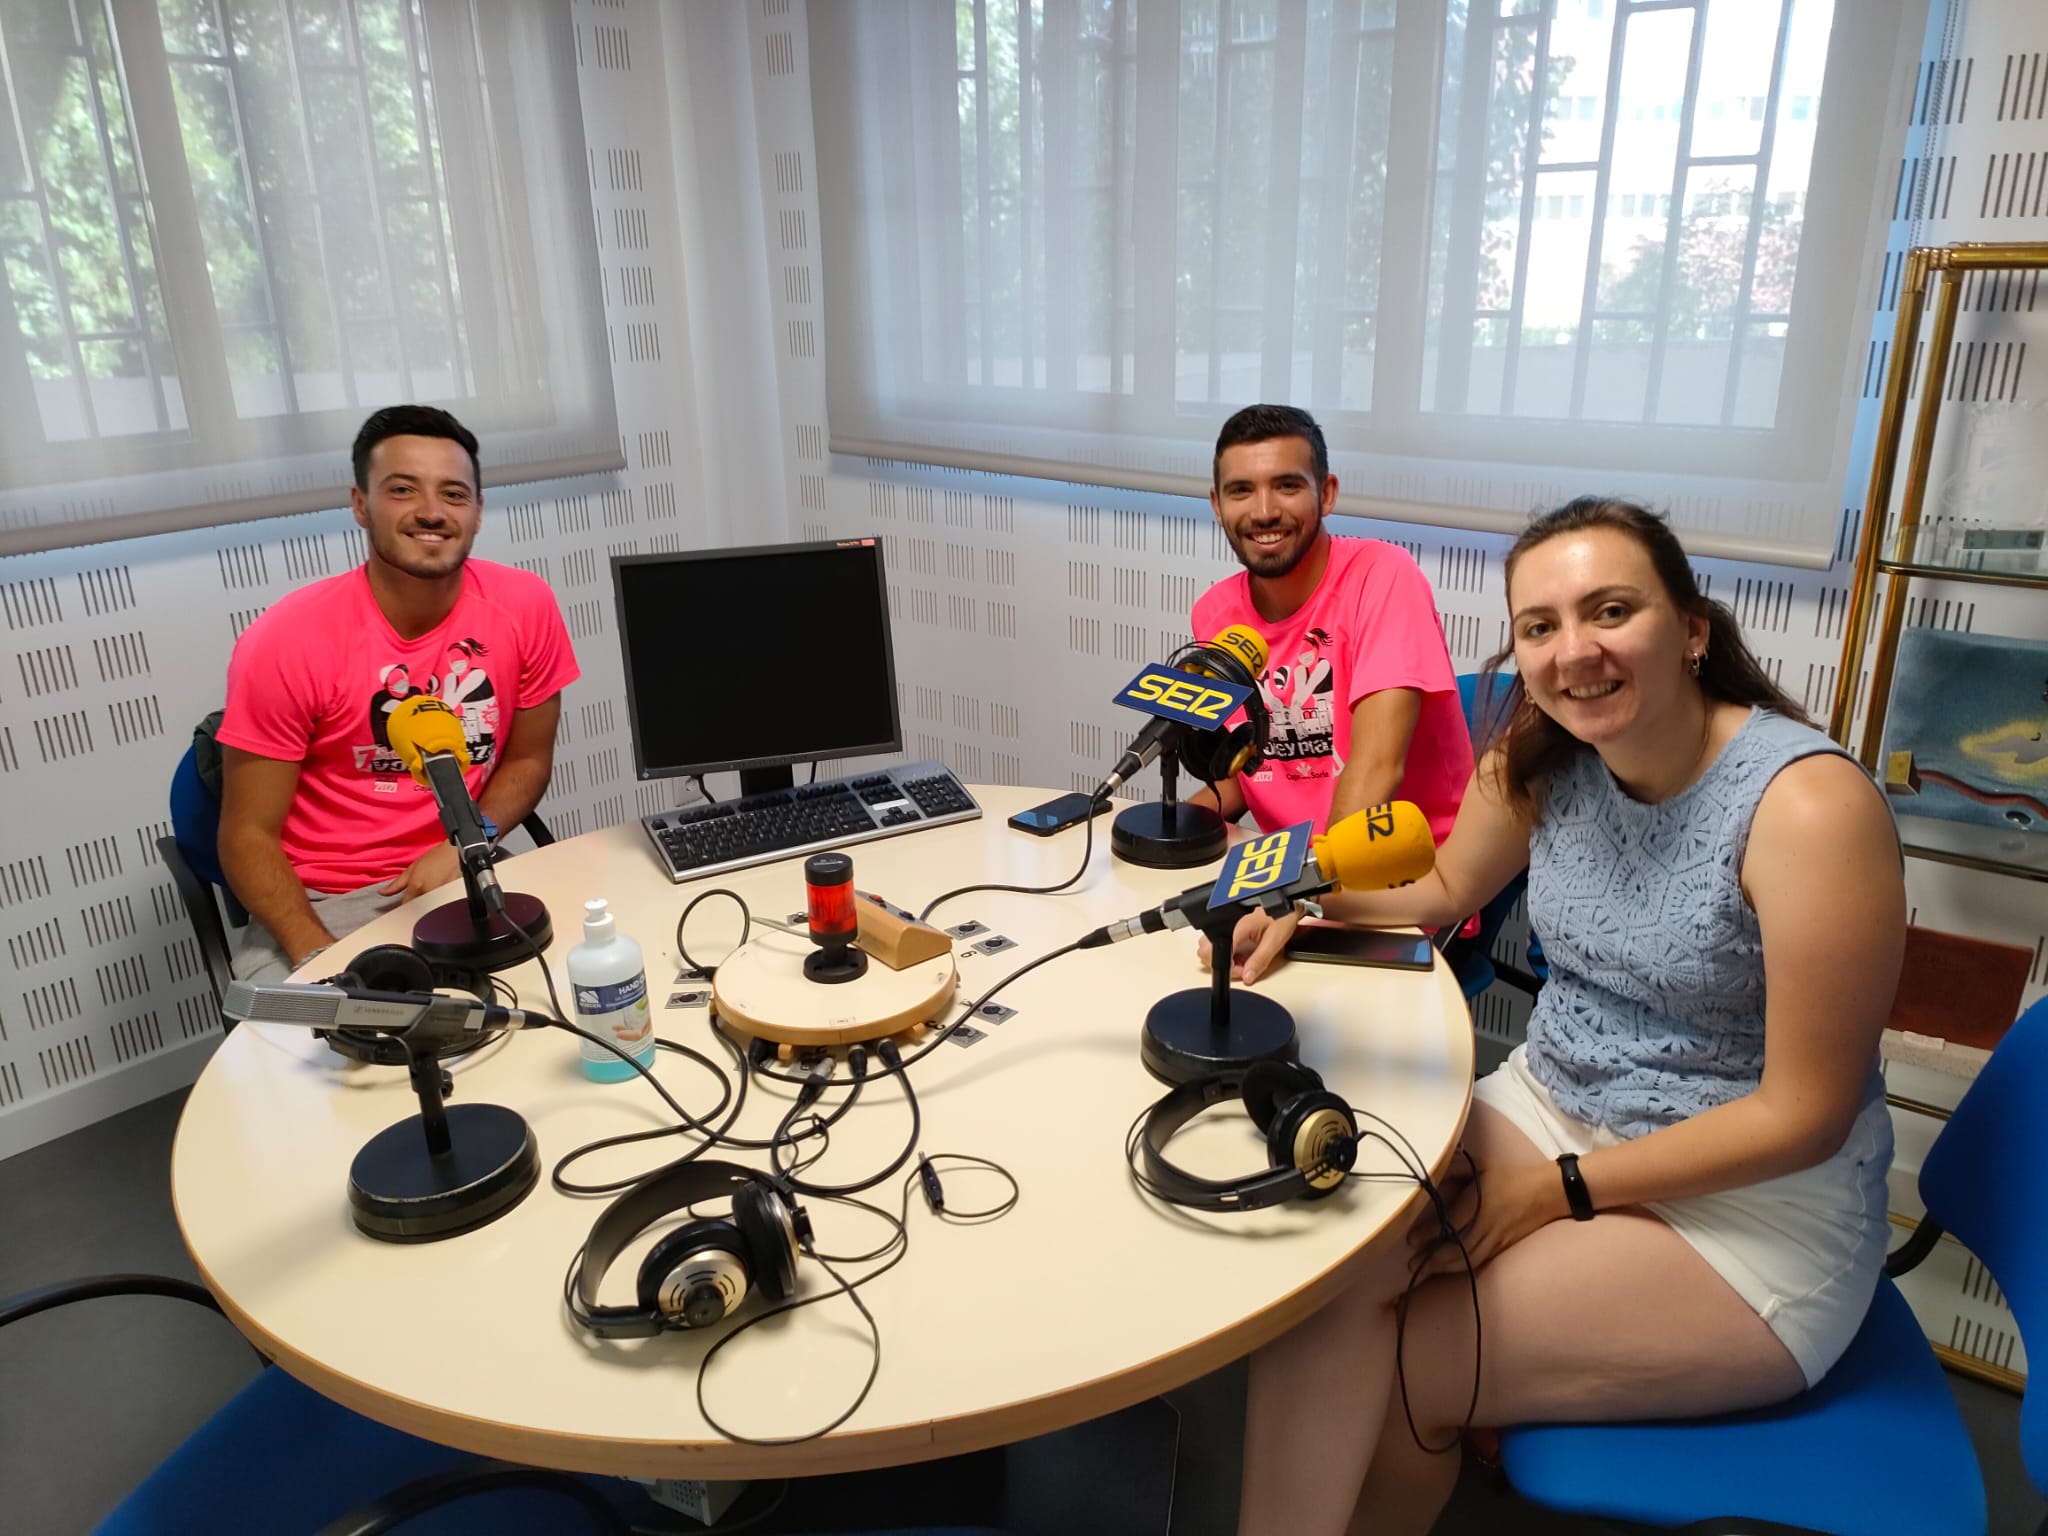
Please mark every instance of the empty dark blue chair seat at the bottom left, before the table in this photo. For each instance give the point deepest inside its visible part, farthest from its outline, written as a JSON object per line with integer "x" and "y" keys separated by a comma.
{"x": 282, "y": 1457}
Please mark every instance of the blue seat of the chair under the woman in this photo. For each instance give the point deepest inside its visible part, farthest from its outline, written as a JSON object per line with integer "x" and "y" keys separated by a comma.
{"x": 1875, "y": 1451}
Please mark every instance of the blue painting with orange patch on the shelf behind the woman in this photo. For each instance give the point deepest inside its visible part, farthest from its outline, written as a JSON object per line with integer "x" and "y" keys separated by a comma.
{"x": 1973, "y": 714}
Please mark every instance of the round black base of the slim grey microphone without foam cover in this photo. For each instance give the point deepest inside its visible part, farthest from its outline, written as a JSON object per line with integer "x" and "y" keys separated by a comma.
{"x": 400, "y": 1193}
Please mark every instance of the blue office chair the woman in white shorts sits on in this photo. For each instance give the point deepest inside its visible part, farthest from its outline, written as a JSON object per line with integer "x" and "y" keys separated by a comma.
{"x": 1879, "y": 1447}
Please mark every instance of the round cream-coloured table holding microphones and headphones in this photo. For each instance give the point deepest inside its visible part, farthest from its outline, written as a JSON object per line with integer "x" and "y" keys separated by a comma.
{"x": 1084, "y": 1299}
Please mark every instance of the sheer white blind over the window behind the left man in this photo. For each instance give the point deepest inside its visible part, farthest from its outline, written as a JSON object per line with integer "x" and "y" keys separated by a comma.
{"x": 234, "y": 228}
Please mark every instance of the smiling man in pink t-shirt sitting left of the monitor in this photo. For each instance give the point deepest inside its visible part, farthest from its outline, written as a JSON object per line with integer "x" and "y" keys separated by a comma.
{"x": 323, "y": 826}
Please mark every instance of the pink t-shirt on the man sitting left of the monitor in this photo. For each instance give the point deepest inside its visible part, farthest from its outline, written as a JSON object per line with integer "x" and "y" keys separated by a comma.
{"x": 318, "y": 675}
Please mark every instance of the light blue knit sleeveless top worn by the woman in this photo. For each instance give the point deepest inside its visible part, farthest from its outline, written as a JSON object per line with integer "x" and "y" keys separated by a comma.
{"x": 1654, "y": 1011}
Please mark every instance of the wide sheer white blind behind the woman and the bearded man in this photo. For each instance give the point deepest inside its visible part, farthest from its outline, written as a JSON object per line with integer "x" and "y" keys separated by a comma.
{"x": 1506, "y": 251}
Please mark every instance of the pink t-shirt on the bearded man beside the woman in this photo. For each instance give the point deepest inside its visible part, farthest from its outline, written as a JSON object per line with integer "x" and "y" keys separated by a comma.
{"x": 1369, "y": 626}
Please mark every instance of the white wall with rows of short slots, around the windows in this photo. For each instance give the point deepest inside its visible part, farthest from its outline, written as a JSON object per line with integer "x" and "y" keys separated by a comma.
{"x": 1019, "y": 605}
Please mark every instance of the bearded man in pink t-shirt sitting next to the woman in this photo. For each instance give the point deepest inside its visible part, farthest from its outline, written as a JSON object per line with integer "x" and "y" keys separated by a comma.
{"x": 1365, "y": 706}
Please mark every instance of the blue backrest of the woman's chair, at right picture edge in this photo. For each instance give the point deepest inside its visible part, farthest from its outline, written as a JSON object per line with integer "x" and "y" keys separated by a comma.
{"x": 1988, "y": 1183}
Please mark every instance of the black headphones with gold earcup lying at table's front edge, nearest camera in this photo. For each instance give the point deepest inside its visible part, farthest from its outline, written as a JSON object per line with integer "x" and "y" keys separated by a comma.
{"x": 701, "y": 1273}
